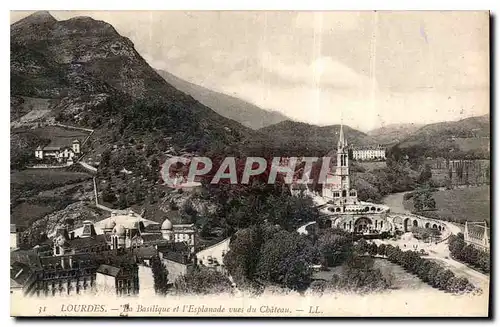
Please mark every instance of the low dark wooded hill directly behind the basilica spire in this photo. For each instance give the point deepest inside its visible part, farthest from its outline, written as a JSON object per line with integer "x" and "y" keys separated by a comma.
{"x": 301, "y": 139}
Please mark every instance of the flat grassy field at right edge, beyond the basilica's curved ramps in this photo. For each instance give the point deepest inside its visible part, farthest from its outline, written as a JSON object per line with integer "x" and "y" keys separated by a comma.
{"x": 472, "y": 204}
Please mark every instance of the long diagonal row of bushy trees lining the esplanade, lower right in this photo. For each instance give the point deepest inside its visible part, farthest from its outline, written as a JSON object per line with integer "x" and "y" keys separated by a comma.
{"x": 427, "y": 270}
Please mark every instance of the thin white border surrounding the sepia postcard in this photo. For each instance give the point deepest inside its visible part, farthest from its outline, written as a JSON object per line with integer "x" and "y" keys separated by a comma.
{"x": 202, "y": 5}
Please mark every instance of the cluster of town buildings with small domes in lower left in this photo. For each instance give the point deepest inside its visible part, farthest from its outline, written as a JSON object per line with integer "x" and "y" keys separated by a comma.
{"x": 111, "y": 256}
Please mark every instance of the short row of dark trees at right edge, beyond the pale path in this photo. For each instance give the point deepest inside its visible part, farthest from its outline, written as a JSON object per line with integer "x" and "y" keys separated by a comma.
{"x": 459, "y": 250}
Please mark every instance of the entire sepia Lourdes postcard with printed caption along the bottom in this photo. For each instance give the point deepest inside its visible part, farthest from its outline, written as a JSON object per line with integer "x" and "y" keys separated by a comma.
{"x": 250, "y": 163}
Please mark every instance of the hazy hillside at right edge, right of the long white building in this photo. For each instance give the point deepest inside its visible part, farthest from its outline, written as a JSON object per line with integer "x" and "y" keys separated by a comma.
{"x": 468, "y": 137}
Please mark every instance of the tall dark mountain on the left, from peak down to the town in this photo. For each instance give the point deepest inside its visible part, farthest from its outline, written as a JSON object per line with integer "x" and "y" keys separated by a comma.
{"x": 81, "y": 72}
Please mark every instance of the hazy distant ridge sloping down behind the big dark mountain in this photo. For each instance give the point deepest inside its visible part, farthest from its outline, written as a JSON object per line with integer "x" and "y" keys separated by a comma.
{"x": 225, "y": 105}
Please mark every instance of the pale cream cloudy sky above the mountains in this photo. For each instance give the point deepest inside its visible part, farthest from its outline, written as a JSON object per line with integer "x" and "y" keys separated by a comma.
{"x": 367, "y": 69}
